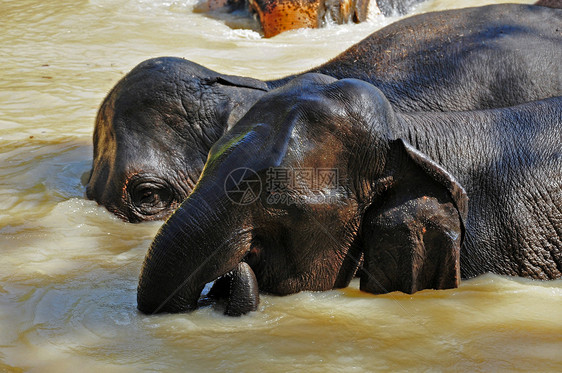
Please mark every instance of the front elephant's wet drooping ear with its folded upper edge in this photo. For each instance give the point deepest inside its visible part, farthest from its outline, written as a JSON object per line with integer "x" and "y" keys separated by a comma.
{"x": 413, "y": 231}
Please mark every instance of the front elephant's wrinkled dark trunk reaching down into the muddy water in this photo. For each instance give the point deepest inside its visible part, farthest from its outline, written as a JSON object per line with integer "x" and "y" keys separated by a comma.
{"x": 198, "y": 244}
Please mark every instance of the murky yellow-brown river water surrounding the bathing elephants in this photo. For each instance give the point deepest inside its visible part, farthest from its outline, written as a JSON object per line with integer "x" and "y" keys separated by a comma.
{"x": 69, "y": 269}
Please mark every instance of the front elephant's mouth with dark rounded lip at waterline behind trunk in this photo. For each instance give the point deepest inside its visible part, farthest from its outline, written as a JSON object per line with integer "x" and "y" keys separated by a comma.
{"x": 236, "y": 292}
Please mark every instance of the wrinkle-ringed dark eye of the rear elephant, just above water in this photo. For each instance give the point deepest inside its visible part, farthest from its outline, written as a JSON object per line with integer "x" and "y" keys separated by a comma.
{"x": 151, "y": 197}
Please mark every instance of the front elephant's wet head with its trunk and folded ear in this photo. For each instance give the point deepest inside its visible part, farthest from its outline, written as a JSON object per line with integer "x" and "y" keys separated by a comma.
{"x": 310, "y": 180}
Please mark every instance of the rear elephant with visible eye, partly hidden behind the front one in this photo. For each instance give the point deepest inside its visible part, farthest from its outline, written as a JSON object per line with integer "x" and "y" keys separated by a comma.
{"x": 154, "y": 129}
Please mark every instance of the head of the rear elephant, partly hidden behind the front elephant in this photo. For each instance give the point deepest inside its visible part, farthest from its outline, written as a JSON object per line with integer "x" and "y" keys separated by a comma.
{"x": 154, "y": 130}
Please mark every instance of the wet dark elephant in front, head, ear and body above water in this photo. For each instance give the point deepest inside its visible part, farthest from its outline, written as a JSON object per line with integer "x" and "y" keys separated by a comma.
{"x": 421, "y": 199}
